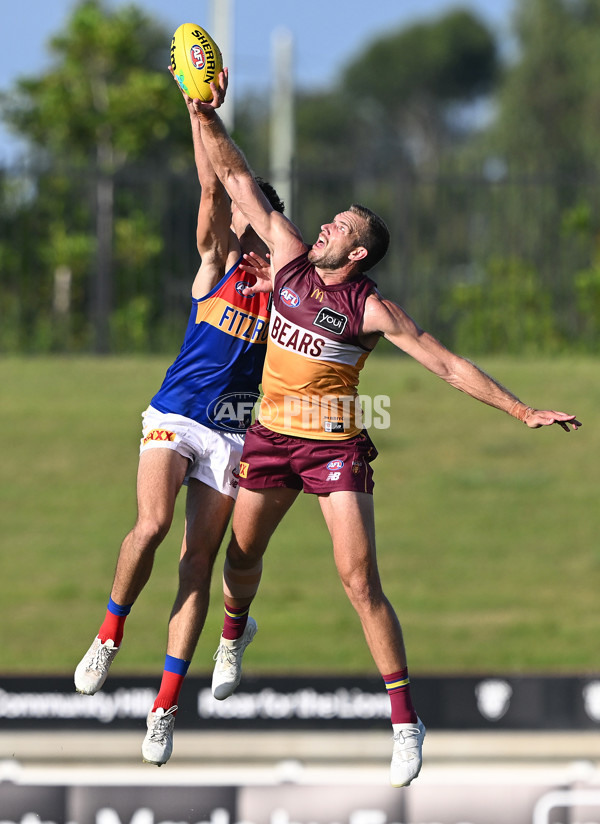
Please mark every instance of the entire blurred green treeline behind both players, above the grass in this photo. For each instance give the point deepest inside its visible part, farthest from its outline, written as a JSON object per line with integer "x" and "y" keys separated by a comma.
{"x": 496, "y": 217}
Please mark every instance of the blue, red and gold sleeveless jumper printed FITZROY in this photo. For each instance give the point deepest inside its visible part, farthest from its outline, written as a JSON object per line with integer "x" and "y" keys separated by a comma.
{"x": 215, "y": 378}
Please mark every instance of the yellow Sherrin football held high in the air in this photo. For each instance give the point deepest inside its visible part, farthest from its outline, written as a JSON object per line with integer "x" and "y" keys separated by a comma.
{"x": 196, "y": 60}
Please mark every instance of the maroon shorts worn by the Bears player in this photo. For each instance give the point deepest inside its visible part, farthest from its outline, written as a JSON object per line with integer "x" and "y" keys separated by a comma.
{"x": 273, "y": 460}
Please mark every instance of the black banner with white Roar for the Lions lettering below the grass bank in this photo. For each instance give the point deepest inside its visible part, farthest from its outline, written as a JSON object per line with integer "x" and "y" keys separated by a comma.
{"x": 310, "y": 702}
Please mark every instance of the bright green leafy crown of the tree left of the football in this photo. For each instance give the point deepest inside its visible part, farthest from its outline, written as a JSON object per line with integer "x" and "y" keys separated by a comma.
{"x": 108, "y": 86}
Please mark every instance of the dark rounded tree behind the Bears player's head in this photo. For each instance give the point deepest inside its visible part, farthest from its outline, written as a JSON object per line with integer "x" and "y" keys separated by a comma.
{"x": 390, "y": 122}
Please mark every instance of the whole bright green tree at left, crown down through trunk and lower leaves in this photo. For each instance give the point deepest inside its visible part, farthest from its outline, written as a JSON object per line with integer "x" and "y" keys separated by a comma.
{"x": 107, "y": 102}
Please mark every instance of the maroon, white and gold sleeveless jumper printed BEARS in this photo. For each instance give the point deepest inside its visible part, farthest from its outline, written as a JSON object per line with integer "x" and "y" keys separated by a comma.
{"x": 314, "y": 356}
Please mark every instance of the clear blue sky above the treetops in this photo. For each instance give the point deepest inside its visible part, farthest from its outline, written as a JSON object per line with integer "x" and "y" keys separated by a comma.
{"x": 326, "y": 34}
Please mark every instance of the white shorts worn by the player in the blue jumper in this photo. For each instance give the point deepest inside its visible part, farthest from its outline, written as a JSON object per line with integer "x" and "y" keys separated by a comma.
{"x": 214, "y": 455}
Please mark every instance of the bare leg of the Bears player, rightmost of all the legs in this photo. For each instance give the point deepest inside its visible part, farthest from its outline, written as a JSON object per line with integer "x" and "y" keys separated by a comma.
{"x": 350, "y": 520}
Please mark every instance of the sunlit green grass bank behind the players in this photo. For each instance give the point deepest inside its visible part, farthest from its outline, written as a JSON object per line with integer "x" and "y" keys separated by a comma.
{"x": 487, "y": 531}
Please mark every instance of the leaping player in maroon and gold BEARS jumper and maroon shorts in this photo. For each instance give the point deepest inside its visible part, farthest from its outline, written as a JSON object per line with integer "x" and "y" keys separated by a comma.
{"x": 327, "y": 317}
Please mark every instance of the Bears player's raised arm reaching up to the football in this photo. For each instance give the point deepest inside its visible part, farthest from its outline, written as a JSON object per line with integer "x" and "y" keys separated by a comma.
{"x": 281, "y": 236}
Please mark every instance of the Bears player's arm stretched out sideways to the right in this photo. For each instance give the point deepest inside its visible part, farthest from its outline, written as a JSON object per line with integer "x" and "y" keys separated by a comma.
{"x": 386, "y": 318}
